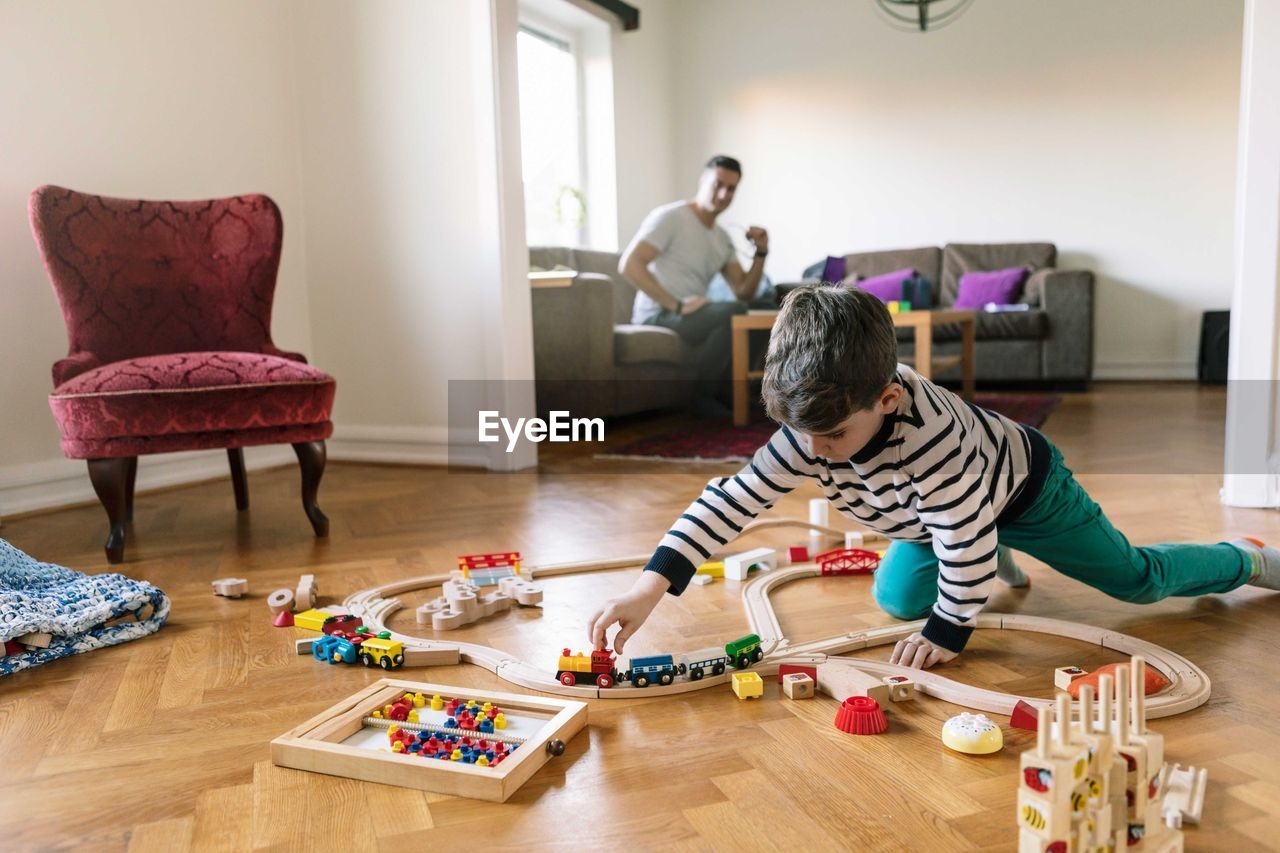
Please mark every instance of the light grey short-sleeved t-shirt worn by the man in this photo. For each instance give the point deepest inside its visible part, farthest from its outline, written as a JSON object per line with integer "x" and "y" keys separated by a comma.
{"x": 691, "y": 254}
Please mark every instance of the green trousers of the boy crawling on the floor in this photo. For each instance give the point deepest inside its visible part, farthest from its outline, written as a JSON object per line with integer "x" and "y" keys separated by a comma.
{"x": 1068, "y": 531}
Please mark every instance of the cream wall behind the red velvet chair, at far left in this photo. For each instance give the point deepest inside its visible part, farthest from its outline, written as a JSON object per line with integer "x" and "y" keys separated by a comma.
{"x": 141, "y": 99}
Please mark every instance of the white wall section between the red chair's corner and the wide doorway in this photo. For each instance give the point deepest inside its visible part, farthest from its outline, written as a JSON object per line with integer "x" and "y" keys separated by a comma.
{"x": 403, "y": 236}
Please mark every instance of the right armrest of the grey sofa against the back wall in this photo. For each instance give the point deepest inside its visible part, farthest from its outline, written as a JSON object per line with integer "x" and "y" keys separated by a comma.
{"x": 1067, "y": 298}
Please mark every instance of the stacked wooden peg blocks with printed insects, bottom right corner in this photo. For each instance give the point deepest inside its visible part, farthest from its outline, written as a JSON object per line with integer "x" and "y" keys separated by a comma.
{"x": 1095, "y": 782}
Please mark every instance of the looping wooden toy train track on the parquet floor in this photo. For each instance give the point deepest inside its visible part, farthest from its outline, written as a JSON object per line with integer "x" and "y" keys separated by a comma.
{"x": 1188, "y": 686}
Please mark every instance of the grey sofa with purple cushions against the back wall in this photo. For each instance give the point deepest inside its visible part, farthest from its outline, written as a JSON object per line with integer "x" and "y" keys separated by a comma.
{"x": 1053, "y": 343}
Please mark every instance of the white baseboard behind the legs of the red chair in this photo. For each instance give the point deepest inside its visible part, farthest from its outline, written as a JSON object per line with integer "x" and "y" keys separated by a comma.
{"x": 65, "y": 482}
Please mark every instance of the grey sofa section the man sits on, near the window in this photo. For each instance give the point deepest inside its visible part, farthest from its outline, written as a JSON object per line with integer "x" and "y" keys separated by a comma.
{"x": 588, "y": 358}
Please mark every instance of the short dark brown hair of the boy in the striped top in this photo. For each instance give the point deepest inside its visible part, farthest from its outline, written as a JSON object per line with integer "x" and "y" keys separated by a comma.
{"x": 833, "y": 353}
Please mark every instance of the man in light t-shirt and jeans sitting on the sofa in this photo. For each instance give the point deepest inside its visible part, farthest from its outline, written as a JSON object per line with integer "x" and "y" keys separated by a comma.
{"x": 678, "y": 253}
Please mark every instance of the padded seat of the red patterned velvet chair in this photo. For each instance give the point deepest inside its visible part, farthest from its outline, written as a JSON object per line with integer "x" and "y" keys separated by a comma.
{"x": 188, "y": 394}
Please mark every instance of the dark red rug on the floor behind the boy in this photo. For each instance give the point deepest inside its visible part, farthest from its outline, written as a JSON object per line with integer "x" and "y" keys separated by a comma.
{"x": 720, "y": 441}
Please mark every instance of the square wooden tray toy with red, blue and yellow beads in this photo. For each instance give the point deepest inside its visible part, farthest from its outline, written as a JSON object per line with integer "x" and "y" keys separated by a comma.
{"x": 408, "y": 735}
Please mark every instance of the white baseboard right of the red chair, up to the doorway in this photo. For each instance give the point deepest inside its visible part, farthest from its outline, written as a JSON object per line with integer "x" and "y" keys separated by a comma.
{"x": 408, "y": 446}
